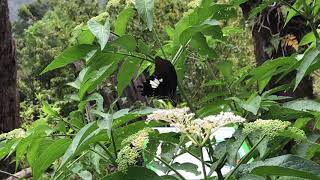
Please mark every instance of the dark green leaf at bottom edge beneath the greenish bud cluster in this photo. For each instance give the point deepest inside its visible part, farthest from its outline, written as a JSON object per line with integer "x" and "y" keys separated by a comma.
{"x": 134, "y": 173}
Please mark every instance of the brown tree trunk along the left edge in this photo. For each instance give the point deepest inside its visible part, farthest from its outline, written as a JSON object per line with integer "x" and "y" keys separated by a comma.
{"x": 9, "y": 114}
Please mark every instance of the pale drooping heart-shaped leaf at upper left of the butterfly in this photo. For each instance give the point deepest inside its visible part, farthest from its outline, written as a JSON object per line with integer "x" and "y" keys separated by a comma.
{"x": 101, "y": 32}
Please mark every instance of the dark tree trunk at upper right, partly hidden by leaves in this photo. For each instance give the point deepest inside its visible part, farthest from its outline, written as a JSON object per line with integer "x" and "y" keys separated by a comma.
{"x": 269, "y": 34}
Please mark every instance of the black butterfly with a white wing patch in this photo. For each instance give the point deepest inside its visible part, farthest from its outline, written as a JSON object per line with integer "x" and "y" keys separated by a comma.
{"x": 163, "y": 82}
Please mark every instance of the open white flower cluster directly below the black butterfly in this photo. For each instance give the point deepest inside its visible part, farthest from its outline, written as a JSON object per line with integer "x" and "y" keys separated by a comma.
{"x": 198, "y": 130}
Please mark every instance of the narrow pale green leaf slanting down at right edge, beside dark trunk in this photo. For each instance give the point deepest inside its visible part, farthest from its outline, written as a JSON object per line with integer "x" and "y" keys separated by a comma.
{"x": 309, "y": 57}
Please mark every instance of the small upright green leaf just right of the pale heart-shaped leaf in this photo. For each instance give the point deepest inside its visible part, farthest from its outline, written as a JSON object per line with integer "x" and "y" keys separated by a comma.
{"x": 122, "y": 21}
